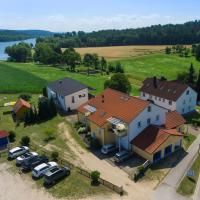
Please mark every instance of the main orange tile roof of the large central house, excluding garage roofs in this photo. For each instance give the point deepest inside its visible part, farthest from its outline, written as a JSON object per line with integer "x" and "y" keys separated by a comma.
{"x": 112, "y": 103}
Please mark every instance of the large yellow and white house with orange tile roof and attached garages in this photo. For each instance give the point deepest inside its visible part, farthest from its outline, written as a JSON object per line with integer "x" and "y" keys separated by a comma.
{"x": 115, "y": 117}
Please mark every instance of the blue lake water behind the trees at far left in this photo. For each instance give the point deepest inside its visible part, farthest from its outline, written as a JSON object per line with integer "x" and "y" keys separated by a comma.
{"x": 3, "y": 46}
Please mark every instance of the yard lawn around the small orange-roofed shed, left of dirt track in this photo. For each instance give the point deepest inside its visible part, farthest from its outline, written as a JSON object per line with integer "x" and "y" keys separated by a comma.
{"x": 36, "y": 132}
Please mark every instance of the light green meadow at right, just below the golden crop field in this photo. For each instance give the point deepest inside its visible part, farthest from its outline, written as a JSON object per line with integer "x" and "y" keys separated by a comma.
{"x": 157, "y": 64}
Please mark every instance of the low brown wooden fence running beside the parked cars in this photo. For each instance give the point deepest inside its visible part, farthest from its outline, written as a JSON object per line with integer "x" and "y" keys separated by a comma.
{"x": 83, "y": 172}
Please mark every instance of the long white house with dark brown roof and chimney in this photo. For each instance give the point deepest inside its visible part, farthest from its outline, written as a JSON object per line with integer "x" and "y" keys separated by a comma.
{"x": 171, "y": 95}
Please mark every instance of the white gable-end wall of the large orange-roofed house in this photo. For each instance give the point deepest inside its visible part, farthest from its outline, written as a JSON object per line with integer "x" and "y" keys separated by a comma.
{"x": 134, "y": 130}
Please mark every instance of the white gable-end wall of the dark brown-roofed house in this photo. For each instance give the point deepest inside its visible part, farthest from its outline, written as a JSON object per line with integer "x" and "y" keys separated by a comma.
{"x": 186, "y": 103}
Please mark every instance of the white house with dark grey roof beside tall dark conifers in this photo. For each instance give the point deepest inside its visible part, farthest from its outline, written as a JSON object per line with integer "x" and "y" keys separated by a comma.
{"x": 68, "y": 94}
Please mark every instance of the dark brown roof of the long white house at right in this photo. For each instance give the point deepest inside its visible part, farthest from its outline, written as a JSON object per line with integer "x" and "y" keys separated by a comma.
{"x": 170, "y": 90}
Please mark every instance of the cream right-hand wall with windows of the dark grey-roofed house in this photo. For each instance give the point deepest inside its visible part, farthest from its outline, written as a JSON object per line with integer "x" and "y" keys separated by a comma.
{"x": 78, "y": 100}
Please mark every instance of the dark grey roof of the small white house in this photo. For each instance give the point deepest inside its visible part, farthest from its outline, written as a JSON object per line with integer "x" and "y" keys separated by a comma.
{"x": 66, "y": 86}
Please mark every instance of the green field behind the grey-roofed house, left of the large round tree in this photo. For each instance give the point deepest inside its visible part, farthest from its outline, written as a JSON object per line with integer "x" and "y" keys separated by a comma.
{"x": 31, "y": 78}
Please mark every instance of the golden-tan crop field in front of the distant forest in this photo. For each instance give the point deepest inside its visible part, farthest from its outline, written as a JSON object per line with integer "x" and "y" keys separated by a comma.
{"x": 119, "y": 52}
